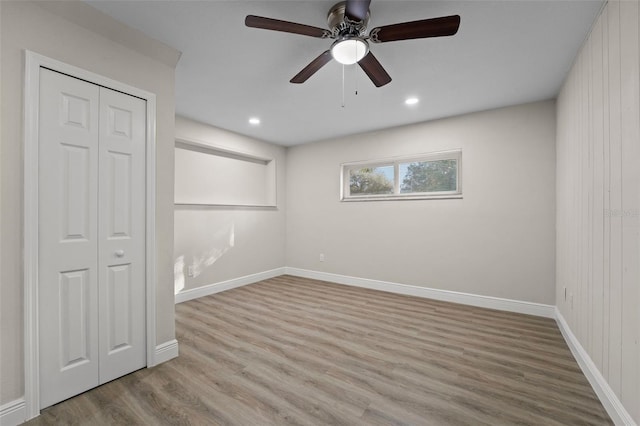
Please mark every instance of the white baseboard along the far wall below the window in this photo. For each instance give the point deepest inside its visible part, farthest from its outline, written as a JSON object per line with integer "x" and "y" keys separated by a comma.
{"x": 518, "y": 306}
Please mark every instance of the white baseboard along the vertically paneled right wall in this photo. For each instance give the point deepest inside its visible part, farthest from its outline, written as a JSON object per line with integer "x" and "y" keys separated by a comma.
{"x": 607, "y": 396}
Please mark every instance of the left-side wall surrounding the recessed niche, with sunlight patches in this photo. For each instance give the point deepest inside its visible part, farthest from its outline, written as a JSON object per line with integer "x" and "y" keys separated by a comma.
{"x": 224, "y": 243}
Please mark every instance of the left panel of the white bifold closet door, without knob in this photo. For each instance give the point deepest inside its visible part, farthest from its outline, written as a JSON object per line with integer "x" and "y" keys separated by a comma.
{"x": 68, "y": 237}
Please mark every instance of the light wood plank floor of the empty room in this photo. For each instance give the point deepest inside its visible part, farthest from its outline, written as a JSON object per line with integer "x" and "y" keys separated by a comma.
{"x": 297, "y": 351}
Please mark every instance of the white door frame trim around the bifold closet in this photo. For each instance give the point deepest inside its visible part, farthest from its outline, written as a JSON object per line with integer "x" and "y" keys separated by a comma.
{"x": 33, "y": 63}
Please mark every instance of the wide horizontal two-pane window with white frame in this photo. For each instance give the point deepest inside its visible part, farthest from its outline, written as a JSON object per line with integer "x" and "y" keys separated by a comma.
{"x": 435, "y": 175}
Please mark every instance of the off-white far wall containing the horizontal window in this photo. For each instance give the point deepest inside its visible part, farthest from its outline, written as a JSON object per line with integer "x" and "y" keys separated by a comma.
{"x": 496, "y": 241}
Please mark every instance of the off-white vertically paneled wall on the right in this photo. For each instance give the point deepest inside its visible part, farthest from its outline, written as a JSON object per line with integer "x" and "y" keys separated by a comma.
{"x": 598, "y": 200}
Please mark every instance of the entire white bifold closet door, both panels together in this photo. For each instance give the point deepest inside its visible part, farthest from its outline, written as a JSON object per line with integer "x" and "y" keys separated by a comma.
{"x": 91, "y": 236}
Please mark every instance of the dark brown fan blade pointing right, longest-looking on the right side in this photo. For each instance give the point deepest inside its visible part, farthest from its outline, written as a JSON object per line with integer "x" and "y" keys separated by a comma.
{"x": 435, "y": 27}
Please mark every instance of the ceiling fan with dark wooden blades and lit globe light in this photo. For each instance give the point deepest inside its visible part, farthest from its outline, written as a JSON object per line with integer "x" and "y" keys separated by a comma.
{"x": 347, "y": 23}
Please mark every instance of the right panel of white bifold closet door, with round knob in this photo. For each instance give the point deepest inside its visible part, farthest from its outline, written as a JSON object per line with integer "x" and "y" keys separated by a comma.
{"x": 122, "y": 234}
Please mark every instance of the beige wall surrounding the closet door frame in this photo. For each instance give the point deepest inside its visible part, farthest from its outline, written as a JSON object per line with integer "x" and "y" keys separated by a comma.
{"x": 40, "y": 28}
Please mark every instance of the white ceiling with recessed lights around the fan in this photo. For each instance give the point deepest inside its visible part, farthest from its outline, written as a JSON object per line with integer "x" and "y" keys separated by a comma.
{"x": 505, "y": 53}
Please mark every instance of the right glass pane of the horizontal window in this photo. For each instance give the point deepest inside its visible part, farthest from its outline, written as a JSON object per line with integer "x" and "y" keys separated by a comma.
{"x": 428, "y": 176}
